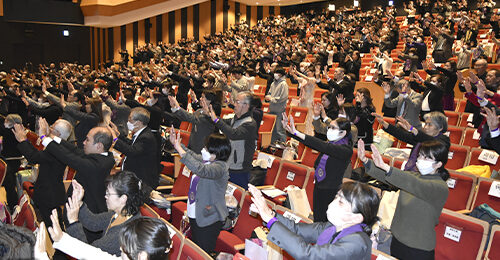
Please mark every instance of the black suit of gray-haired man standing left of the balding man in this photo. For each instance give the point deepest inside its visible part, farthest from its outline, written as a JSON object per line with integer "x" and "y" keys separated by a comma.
{"x": 49, "y": 188}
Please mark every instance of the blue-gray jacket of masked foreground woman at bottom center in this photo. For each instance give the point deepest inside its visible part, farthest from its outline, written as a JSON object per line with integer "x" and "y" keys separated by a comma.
{"x": 297, "y": 239}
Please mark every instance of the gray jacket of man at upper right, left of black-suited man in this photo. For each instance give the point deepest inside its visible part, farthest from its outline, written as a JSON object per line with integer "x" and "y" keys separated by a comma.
{"x": 413, "y": 104}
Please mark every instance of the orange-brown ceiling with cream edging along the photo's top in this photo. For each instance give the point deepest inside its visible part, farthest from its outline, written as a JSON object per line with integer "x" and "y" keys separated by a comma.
{"x": 108, "y": 13}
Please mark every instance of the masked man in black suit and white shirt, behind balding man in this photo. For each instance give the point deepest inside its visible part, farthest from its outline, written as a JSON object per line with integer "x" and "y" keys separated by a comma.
{"x": 140, "y": 151}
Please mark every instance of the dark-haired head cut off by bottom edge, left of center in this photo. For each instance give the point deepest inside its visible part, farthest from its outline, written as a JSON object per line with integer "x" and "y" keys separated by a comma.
{"x": 150, "y": 235}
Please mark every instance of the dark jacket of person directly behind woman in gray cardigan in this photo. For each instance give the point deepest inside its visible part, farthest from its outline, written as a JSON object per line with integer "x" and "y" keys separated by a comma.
{"x": 202, "y": 127}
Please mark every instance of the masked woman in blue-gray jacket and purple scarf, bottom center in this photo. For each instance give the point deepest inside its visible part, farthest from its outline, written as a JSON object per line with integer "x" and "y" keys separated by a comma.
{"x": 345, "y": 235}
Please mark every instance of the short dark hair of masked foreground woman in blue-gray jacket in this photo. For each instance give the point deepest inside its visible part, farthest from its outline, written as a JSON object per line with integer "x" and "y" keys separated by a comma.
{"x": 364, "y": 200}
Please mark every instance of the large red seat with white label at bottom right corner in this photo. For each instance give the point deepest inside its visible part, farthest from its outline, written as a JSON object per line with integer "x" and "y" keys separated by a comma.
{"x": 471, "y": 241}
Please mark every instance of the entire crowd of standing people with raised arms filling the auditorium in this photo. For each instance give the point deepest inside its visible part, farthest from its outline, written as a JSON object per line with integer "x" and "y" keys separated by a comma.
{"x": 86, "y": 118}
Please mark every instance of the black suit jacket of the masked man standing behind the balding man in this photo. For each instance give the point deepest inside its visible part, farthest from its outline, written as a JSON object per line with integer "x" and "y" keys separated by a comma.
{"x": 142, "y": 157}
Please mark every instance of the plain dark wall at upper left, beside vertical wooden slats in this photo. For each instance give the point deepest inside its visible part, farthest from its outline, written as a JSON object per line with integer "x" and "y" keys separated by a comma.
{"x": 42, "y": 43}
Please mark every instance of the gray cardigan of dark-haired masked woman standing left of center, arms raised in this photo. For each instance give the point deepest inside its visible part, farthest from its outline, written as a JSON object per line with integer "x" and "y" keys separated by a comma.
{"x": 211, "y": 190}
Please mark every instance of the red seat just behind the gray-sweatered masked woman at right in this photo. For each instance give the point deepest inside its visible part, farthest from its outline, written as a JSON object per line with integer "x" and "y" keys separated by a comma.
{"x": 461, "y": 187}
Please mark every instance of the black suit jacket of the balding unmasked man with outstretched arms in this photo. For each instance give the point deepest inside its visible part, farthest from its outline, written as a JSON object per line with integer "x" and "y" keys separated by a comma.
{"x": 91, "y": 172}
